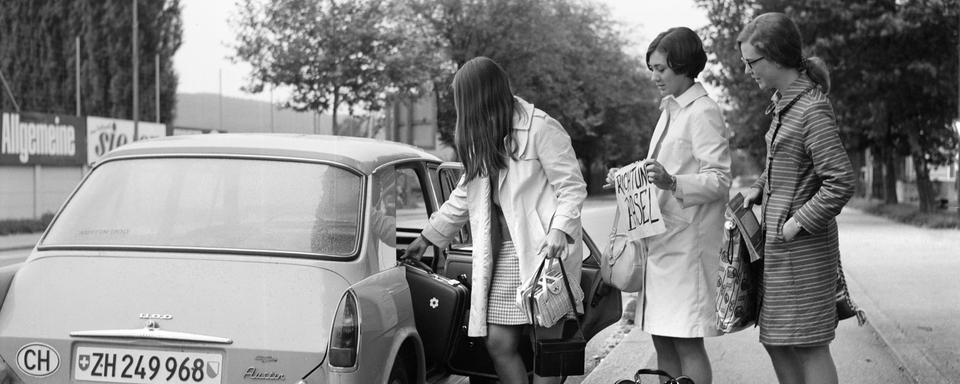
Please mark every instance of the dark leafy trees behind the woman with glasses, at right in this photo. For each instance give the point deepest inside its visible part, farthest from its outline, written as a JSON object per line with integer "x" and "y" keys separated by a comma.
{"x": 893, "y": 67}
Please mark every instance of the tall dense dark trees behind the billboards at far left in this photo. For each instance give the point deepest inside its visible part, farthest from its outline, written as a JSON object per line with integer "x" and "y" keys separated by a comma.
{"x": 37, "y": 55}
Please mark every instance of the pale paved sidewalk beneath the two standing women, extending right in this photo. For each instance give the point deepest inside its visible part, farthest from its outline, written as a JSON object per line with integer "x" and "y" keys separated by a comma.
{"x": 903, "y": 277}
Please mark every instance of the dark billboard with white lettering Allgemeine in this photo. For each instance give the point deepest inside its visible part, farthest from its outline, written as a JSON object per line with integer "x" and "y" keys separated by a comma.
{"x": 29, "y": 138}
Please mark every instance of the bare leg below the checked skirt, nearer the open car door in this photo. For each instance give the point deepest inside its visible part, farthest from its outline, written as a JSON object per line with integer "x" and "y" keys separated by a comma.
{"x": 502, "y": 343}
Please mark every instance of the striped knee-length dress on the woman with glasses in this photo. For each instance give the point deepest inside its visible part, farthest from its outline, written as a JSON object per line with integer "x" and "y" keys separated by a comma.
{"x": 808, "y": 177}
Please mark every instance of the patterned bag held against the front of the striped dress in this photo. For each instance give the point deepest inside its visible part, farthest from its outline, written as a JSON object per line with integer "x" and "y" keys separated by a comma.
{"x": 738, "y": 280}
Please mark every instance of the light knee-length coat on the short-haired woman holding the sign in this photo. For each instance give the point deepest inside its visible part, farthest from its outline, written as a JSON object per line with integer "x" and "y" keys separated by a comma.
{"x": 679, "y": 293}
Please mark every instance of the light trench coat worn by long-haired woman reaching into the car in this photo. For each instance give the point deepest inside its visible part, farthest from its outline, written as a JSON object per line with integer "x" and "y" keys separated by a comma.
{"x": 542, "y": 189}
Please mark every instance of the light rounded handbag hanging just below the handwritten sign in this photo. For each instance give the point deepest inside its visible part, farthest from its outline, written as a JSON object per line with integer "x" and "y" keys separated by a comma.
{"x": 623, "y": 262}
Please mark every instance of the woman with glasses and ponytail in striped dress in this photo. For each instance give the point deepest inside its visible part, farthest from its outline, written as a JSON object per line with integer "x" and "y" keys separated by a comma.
{"x": 807, "y": 180}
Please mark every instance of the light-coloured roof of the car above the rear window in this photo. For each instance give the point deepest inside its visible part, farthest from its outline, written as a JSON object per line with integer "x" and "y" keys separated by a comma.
{"x": 361, "y": 154}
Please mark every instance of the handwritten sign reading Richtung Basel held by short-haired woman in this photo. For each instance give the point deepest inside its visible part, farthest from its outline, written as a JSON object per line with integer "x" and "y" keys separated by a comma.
{"x": 638, "y": 203}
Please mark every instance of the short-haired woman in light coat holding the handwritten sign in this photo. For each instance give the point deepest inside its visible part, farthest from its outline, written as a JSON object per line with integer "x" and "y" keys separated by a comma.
{"x": 689, "y": 163}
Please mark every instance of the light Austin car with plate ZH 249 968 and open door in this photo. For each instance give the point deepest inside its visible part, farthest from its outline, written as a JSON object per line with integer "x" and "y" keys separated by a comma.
{"x": 250, "y": 258}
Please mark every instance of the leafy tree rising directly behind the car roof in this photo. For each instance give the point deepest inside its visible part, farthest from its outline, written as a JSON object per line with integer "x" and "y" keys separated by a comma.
{"x": 331, "y": 53}
